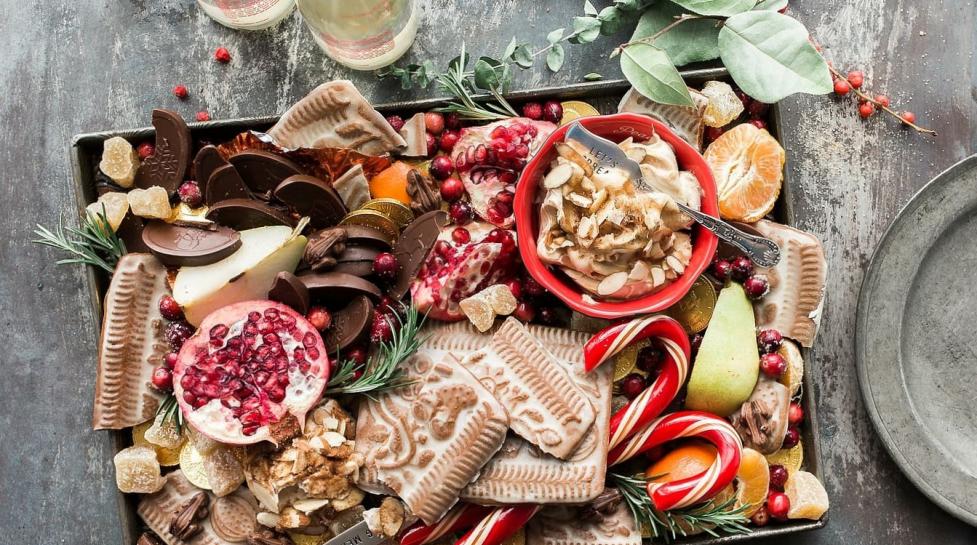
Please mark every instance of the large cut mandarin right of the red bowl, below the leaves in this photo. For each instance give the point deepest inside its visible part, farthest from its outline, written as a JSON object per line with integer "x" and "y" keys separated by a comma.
{"x": 748, "y": 165}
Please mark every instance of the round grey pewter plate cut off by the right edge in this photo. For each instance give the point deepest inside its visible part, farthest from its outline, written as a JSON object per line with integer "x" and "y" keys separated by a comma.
{"x": 915, "y": 346}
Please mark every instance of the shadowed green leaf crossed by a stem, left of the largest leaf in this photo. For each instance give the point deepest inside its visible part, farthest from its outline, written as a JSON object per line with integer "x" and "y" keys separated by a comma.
{"x": 694, "y": 40}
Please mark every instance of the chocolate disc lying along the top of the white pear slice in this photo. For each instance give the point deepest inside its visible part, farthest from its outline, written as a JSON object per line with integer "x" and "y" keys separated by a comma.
{"x": 176, "y": 246}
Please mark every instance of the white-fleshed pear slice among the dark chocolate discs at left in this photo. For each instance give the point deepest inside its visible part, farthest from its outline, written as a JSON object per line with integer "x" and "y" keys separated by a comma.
{"x": 245, "y": 275}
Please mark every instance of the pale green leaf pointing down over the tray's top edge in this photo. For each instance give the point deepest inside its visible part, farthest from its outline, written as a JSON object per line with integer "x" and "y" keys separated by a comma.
{"x": 652, "y": 74}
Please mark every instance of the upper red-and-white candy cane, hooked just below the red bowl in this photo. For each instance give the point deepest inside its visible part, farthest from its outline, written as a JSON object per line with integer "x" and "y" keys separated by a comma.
{"x": 653, "y": 400}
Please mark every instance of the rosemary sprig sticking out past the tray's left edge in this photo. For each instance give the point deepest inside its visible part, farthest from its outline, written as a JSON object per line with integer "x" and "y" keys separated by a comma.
{"x": 94, "y": 243}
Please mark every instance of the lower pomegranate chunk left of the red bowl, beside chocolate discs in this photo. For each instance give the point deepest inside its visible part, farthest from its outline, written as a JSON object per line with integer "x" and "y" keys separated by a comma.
{"x": 457, "y": 269}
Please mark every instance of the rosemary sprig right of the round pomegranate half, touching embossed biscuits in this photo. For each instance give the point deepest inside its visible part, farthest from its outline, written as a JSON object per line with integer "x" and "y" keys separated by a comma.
{"x": 383, "y": 371}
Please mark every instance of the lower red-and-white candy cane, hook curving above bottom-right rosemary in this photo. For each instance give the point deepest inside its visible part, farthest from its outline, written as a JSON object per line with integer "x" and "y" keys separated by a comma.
{"x": 697, "y": 488}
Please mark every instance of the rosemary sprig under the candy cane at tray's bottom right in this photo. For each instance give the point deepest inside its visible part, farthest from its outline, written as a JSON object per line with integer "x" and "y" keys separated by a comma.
{"x": 713, "y": 518}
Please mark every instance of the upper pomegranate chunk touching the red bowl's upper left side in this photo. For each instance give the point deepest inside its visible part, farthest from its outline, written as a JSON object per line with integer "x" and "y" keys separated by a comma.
{"x": 489, "y": 160}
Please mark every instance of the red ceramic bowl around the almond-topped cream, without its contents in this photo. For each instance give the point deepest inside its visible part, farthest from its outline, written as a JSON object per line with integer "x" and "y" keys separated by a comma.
{"x": 615, "y": 127}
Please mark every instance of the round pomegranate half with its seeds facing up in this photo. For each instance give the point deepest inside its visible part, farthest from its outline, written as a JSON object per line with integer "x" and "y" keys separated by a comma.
{"x": 247, "y": 368}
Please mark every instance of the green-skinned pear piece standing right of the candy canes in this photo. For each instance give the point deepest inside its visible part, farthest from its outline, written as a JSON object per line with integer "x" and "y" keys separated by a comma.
{"x": 728, "y": 364}
